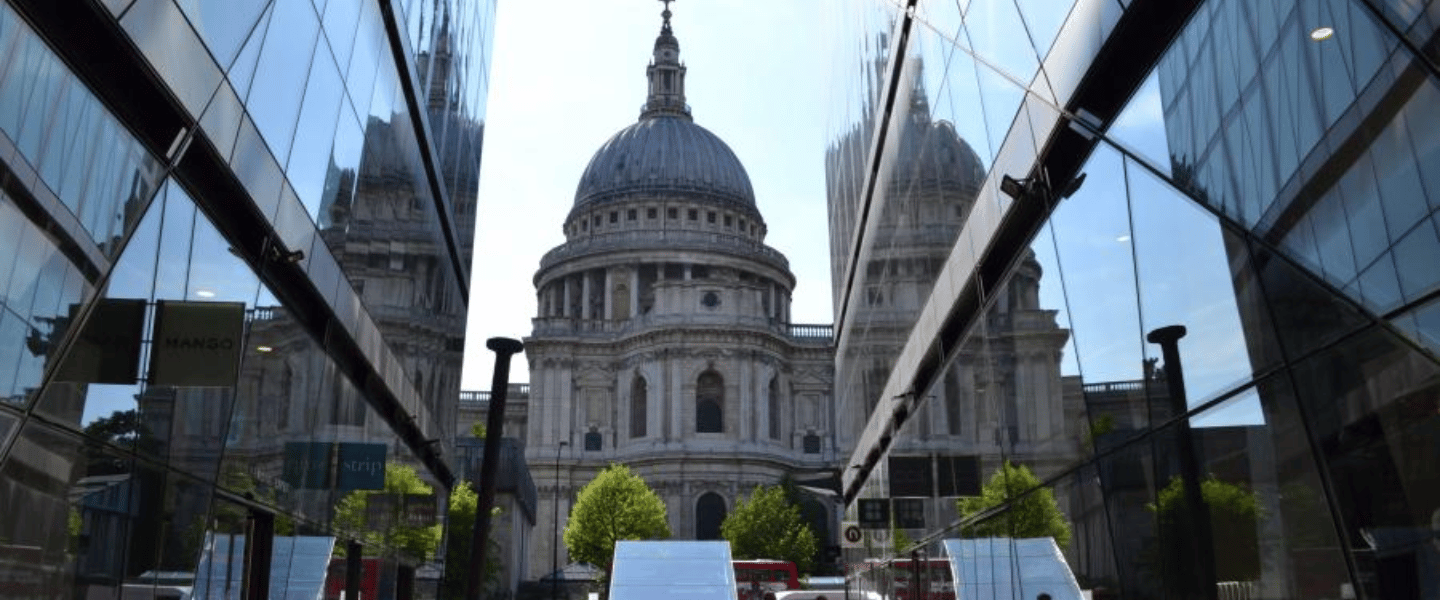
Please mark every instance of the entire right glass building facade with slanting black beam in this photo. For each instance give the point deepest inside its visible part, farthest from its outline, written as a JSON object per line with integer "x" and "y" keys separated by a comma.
{"x": 1174, "y": 263}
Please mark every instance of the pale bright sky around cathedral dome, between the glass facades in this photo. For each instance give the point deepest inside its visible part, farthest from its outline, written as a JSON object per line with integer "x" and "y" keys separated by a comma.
{"x": 570, "y": 74}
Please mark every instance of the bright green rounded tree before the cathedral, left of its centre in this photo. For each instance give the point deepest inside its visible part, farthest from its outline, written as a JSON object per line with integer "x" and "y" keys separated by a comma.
{"x": 613, "y": 507}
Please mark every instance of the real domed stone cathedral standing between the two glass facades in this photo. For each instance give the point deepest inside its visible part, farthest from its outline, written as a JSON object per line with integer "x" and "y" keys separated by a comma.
{"x": 663, "y": 336}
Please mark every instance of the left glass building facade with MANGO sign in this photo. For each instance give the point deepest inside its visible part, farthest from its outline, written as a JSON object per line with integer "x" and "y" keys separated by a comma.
{"x": 234, "y": 267}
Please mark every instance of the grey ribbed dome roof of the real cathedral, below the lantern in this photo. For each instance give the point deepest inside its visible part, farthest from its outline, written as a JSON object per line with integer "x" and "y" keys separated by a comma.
{"x": 665, "y": 155}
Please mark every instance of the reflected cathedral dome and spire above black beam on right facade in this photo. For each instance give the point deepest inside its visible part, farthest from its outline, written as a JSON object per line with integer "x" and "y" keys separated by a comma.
{"x": 924, "y": 205}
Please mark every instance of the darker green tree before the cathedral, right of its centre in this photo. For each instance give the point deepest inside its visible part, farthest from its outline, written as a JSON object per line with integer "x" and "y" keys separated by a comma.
{"x": 767, "y": 524}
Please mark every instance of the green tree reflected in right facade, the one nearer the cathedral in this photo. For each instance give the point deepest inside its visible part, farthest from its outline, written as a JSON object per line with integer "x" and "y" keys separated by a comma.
{"x": 1030, "y": 516}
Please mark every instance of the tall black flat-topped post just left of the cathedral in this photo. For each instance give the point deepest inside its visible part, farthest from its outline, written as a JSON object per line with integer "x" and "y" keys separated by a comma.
{"x": 495, "y": 424}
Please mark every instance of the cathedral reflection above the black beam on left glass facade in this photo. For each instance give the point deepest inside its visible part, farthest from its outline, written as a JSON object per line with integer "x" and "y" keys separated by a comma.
{"x": 382, "y": 225}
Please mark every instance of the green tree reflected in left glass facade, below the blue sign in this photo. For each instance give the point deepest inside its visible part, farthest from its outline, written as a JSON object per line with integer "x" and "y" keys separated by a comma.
{"x": 352, "y": 517}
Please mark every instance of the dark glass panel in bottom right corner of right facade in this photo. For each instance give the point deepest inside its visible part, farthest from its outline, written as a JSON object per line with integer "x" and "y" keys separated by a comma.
{"x": 1372, "y": 409}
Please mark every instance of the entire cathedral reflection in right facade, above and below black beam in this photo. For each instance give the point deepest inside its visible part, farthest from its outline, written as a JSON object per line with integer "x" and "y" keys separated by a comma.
{"x": 1003, "y": 396}
